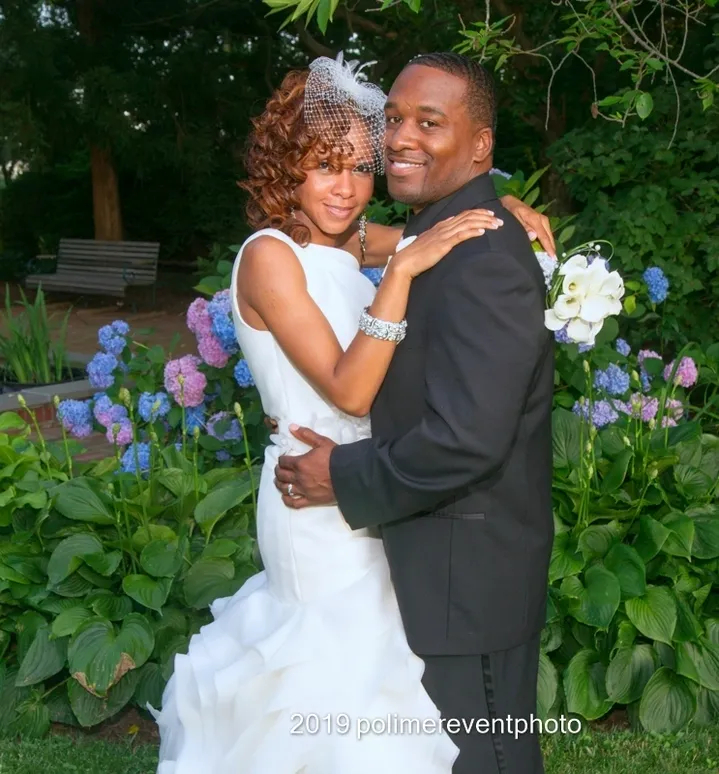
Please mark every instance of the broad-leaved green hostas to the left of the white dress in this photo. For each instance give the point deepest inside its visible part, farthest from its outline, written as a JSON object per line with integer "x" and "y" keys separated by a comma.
{"x": 105, "y": 575}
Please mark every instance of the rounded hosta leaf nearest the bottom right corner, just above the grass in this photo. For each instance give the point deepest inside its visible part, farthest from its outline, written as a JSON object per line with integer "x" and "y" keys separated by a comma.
{"x": 667, "y": 703}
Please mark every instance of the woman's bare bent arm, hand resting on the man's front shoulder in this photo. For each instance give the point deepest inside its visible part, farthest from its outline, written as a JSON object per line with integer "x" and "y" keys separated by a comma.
{"x": 272, "y": 295}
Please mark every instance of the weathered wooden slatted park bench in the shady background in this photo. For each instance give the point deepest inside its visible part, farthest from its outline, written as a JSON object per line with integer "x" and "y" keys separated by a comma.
{"x": 100, "y": 268}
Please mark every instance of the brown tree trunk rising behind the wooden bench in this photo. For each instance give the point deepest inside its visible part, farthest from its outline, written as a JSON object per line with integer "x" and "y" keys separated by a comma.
{"x": 107, "y": 212}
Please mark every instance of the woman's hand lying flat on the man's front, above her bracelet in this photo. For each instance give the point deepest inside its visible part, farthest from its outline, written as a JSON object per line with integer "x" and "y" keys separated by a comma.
{"x": 430, "y": 247}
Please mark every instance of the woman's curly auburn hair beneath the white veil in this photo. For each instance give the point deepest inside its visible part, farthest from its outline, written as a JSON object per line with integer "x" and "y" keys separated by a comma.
{"x": 281, "y": 148}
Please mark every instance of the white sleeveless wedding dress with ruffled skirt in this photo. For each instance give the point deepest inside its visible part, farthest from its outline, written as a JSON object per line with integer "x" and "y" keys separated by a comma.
{"x": 305, "y": 669}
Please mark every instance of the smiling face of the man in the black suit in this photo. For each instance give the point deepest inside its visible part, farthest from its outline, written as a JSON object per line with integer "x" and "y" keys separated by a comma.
{"x": 433, "y": 146}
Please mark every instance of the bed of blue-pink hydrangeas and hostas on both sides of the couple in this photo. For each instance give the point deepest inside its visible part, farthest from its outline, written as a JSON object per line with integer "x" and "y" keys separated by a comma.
{"x": 108, "y": 568}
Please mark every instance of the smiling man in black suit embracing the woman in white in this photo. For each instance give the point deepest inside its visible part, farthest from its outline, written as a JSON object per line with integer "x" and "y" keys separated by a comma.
{"x": 458, "y": 472}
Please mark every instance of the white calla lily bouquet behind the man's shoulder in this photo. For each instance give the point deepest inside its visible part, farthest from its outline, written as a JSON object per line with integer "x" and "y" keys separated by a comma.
{"x": 582, "y": 294}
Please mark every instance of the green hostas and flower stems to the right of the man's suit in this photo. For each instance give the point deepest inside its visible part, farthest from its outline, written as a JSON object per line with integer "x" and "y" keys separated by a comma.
{"x": 633, "y": 614}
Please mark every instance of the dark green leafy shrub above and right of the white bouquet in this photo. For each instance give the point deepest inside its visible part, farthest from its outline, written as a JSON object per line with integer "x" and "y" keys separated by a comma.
{"x": 658, "y": 206}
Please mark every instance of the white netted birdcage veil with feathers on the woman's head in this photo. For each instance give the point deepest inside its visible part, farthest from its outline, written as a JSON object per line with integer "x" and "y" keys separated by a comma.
{"x": 346, "y": 111}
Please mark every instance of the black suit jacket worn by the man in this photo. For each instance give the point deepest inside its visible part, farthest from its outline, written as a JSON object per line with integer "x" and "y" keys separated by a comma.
{"x": 458, "y": 472}
